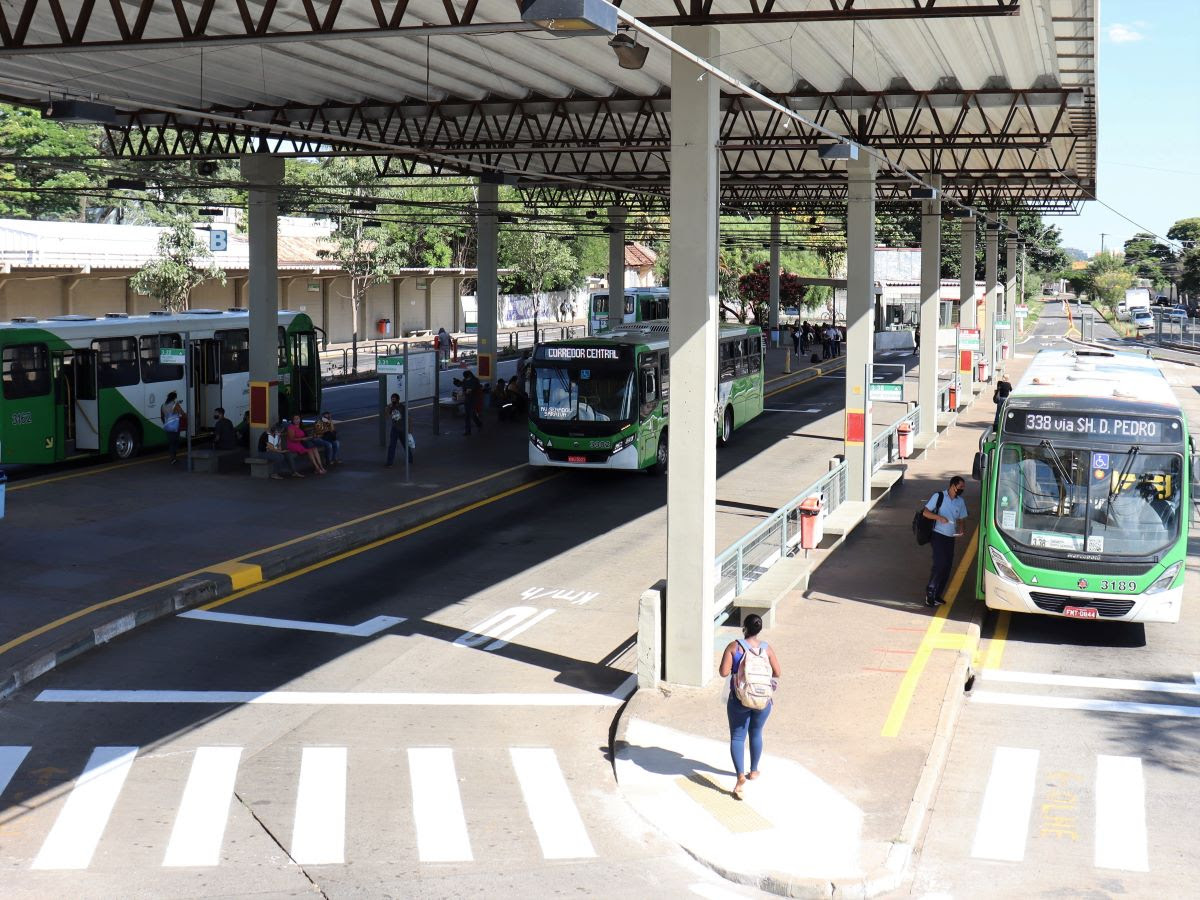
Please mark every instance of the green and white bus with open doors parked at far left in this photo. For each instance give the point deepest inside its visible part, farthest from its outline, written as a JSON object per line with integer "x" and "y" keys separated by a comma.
{"x": 74, "y": 386}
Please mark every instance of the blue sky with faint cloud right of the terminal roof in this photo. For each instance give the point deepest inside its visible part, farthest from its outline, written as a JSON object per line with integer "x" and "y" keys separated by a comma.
{"x": 1149, "y": 160}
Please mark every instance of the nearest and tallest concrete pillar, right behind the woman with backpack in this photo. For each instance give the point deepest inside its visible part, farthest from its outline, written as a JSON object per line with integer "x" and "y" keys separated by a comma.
{"x": 692, "y": 482}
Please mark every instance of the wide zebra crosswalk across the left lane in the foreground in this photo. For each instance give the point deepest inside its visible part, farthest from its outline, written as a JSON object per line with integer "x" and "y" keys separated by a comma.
{"x": 201, "y": 809}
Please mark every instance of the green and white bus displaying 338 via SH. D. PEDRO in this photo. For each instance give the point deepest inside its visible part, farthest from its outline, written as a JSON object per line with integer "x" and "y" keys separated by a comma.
{"x": 1088, "y": 491}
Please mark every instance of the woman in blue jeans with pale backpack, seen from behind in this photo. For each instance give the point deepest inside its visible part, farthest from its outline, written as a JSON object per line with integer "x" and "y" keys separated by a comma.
{"x": 753, "y": 671}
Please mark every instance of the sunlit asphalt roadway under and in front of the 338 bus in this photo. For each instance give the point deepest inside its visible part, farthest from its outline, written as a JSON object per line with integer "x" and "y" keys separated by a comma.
{"x": 1091, "y": 801}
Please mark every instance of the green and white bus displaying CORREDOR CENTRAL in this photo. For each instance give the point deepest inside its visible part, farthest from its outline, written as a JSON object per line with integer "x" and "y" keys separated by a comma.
{"x": 603, "y": 403}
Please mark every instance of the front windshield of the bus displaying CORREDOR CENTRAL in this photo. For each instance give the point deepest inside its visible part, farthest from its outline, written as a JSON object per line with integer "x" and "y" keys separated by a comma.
{"x": 586, "y": 393}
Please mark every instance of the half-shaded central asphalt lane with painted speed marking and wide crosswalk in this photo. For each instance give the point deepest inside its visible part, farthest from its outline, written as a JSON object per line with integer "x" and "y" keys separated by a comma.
{"x": 501, "y": 659}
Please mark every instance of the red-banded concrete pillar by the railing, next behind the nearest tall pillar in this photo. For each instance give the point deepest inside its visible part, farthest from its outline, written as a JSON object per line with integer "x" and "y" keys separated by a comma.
{"x": 860, "y": 322}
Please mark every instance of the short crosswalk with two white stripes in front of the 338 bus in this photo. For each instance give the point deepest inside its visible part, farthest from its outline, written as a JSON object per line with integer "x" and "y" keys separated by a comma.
{"x": 1027, "y": 802}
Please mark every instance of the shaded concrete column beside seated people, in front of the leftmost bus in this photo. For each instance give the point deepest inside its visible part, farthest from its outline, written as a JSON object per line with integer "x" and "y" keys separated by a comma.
{"x": 263, "y": 175}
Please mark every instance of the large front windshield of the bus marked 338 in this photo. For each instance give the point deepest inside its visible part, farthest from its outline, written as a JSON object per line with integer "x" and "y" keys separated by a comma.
{"x": 1124, "y": 502}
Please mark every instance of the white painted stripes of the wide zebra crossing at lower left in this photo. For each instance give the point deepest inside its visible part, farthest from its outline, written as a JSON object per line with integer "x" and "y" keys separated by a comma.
{"x": 321, "y": 818}
